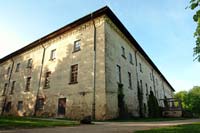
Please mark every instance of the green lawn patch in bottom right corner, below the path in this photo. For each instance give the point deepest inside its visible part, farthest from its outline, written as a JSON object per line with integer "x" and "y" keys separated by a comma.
{"x": 189, "y": 128}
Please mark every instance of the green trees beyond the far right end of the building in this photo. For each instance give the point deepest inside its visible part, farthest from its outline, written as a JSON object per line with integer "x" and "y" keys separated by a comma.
{"x": 190, "y": 99}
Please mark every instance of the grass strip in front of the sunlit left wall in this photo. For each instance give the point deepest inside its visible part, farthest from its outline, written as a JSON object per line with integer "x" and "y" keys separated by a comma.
{"x": 23, "y": 122}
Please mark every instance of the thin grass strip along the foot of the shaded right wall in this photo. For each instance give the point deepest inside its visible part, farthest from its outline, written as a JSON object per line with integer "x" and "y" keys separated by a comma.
{"x": 145, "y": 119}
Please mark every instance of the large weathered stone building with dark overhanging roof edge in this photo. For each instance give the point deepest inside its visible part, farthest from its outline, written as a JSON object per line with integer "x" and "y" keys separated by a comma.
{"x": 90, "y": 67}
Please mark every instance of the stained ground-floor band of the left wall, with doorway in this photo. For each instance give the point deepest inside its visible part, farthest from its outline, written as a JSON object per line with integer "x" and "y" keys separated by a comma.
{"x": 73, "y": 106}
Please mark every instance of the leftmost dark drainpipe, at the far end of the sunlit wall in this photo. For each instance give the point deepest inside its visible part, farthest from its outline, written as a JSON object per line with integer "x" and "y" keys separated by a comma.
{"x": 5, "y": 100}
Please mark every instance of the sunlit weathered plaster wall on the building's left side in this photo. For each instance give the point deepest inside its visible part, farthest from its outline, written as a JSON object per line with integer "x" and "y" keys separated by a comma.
{"x": 79, "y": 97}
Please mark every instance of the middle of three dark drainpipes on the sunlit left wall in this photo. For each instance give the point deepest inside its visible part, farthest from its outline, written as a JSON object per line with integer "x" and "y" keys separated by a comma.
{"x": 39, "y": 84}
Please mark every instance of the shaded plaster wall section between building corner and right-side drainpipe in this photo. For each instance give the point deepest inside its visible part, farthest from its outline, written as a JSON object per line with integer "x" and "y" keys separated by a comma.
{"x": 114, "y": 41}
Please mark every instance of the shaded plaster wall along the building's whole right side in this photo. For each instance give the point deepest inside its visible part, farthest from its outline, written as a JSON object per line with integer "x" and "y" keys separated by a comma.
{"x": 141, "y": 71}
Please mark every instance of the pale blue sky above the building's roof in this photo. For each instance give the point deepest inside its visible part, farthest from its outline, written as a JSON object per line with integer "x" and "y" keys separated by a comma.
{"x": 163, "y": 28}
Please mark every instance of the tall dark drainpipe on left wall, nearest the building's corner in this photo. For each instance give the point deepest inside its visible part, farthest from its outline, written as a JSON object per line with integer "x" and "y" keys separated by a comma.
{"x": 94, "y": 70}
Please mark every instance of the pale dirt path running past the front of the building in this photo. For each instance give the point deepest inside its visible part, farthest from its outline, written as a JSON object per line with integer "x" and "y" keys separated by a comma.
{"x": 105, "y": 127}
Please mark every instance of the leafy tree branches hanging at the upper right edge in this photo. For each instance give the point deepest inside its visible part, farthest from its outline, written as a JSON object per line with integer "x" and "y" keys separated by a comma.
{"x": 194, "y": 5}
